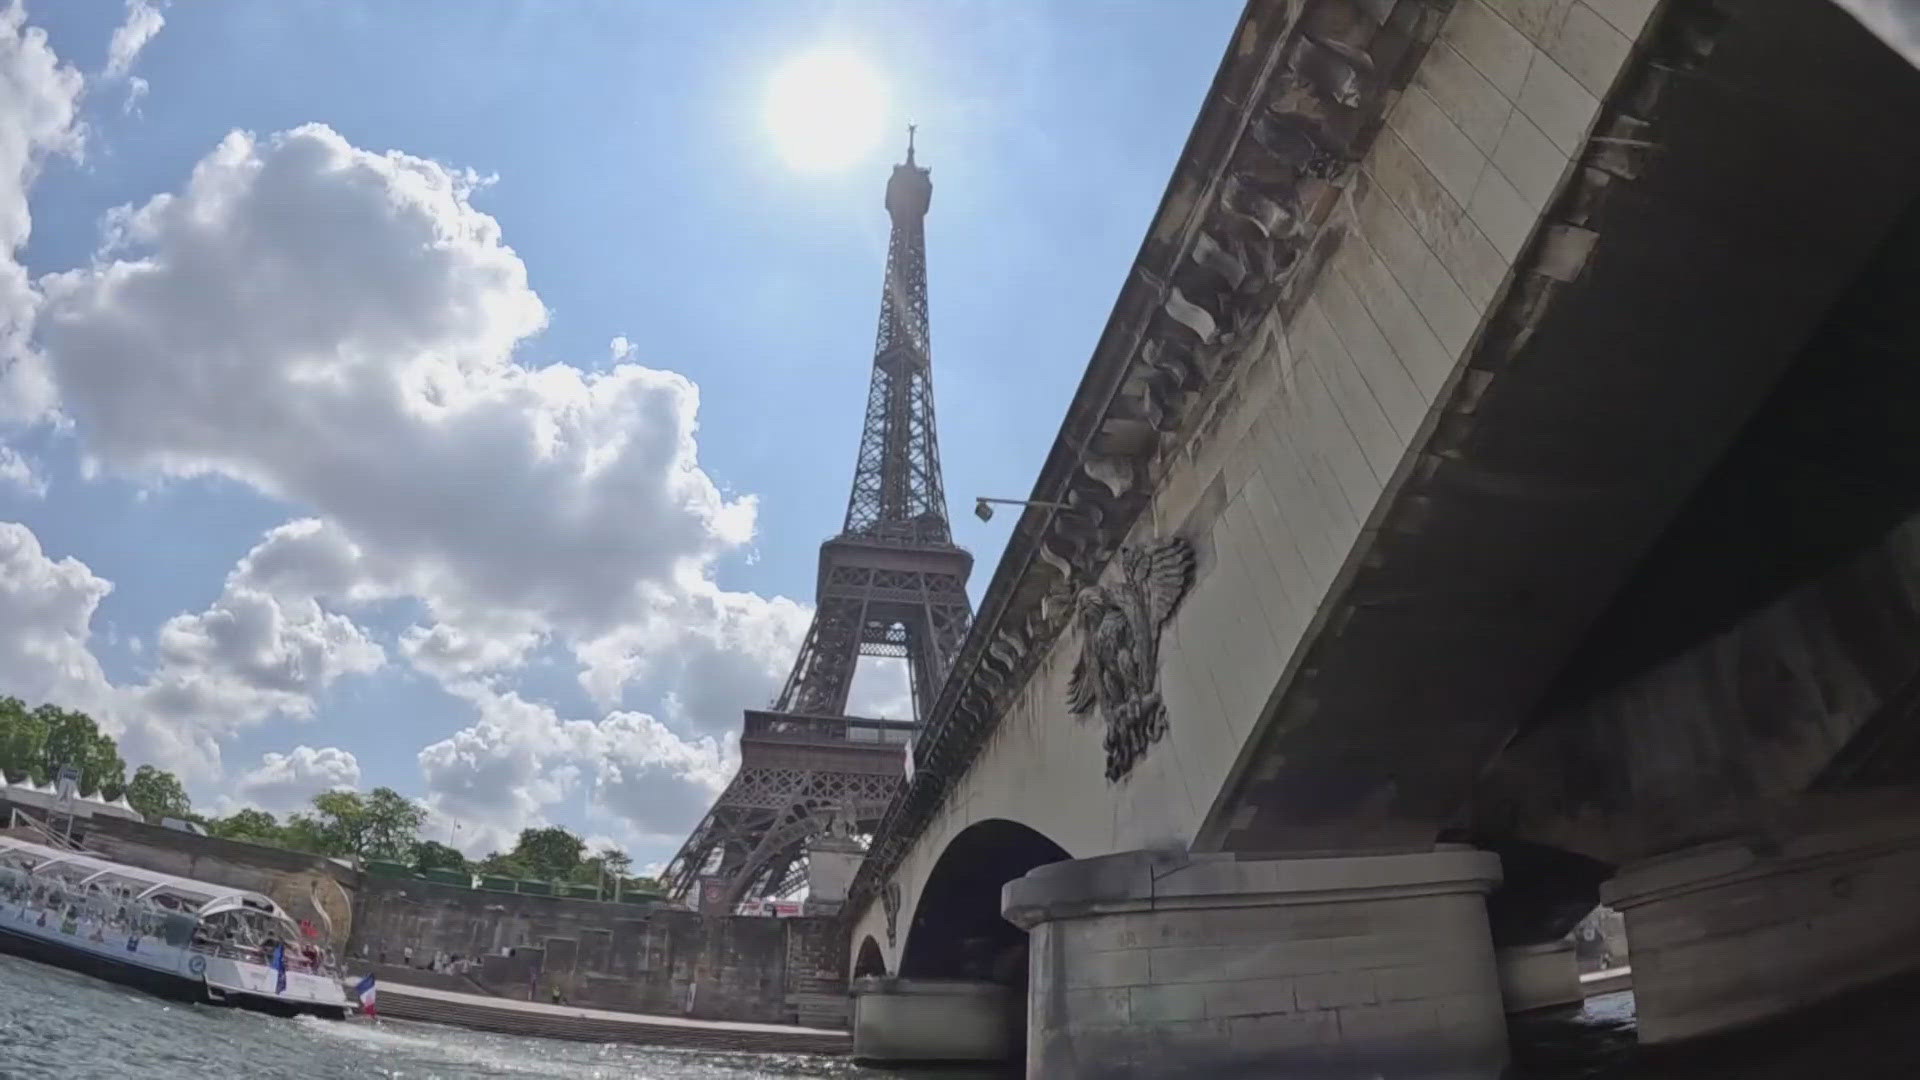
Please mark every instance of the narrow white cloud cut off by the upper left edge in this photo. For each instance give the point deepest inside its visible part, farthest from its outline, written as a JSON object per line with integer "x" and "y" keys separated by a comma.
{"x": 39, "y": 103}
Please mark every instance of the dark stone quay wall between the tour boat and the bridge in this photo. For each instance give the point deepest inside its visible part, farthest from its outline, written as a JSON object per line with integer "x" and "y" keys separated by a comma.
{"x": 613, "y": 956}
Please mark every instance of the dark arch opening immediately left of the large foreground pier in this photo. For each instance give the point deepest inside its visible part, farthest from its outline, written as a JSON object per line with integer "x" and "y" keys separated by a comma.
{"x": 957, "y": 929}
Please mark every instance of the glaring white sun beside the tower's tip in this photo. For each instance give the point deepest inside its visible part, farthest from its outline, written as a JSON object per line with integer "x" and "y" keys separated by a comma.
{"x": 825, "y": 110}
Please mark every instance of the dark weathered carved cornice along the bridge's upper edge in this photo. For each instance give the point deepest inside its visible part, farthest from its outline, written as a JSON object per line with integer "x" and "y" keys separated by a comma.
{"x": 1237, "y": 237}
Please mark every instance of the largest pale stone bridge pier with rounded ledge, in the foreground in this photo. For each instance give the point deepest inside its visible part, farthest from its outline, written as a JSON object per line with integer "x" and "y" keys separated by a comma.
{"x": 1151, "y": 966}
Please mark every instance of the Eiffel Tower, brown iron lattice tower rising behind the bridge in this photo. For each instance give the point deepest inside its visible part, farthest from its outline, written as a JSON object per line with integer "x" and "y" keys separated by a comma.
{"x": 892, "y": 585}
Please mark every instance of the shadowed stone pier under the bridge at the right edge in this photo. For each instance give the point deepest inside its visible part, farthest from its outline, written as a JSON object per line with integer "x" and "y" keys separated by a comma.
{"x": 1739, "y": 931}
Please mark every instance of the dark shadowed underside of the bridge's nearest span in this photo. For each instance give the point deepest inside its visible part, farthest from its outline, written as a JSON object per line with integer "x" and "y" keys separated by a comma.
{"x": 1725, "y": 218}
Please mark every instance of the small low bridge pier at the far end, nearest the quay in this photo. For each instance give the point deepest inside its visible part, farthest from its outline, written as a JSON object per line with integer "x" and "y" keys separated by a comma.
{"x": 934, "y": 1021}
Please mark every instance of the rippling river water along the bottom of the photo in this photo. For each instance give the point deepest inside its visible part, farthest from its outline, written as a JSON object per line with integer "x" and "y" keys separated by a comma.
{"x": 70, "y": 1027}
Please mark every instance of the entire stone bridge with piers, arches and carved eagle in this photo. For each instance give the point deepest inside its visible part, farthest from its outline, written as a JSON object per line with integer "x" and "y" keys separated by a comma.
{"x": 1495, "y": 493}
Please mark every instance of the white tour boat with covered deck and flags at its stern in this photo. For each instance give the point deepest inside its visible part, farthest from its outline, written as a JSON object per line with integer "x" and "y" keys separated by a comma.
{"x": 160, "y": 933}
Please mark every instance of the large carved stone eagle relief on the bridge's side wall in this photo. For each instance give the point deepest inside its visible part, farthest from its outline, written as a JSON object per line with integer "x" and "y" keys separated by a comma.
{"x": 1118, "y": 668}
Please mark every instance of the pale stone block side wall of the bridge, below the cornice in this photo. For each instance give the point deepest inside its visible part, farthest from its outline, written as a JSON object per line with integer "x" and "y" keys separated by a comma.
{"x": 1289, "y": 460}
